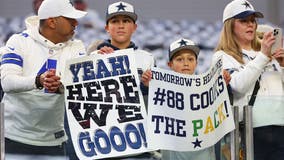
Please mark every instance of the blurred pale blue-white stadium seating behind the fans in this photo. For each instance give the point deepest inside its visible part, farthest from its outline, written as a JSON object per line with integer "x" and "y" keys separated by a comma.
{"x": 152, "y": 34}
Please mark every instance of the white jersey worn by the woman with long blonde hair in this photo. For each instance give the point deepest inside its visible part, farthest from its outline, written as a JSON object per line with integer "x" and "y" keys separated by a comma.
{"x": 268, "y": 108}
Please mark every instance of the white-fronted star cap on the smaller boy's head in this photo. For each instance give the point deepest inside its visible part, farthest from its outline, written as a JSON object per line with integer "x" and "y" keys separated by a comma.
{"x": 182, "y": 44}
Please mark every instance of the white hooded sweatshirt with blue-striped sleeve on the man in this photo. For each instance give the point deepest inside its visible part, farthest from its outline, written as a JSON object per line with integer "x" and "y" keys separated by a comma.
{"x": 33, "y": 116}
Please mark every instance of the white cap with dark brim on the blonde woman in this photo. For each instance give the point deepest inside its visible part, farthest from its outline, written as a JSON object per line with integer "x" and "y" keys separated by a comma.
{"x": 239, "y": 9}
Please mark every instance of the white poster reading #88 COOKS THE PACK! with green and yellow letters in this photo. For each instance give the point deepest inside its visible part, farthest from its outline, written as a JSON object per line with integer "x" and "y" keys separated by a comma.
{"x": 188, "y": 112}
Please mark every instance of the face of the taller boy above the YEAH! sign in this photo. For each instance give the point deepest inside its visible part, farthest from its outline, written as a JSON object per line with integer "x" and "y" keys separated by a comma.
{"x": 120, "y": 29}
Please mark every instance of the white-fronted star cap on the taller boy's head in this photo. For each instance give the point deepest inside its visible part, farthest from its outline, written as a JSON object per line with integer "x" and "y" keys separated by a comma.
{"x": 121, "y": 8}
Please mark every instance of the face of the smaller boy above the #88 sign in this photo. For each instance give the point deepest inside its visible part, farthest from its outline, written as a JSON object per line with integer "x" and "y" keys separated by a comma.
{"x": 184, "y": 61}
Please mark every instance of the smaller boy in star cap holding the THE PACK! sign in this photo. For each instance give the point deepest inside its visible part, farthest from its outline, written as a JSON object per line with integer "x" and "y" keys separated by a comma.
{"x": 183, "y": 55}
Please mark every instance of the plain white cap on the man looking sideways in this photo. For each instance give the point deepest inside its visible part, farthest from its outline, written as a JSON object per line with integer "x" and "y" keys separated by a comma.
{"x": 56, "y": 8}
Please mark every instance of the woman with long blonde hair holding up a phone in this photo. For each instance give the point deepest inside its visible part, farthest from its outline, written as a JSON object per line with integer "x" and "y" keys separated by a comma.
{"x": 256, "y": 76}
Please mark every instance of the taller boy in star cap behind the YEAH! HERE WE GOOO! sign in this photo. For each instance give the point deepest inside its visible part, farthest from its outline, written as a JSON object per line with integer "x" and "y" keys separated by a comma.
{"x": 120, "y": 25}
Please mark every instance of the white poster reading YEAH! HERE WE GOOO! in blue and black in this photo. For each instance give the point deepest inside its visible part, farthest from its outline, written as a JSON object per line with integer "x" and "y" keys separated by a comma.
{"x": 104, "y": 104}
